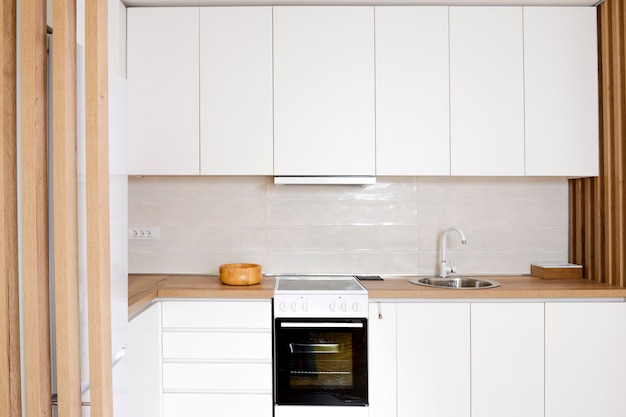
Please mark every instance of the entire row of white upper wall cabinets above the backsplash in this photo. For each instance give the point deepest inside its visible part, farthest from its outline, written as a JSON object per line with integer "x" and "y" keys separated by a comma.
{"x": 363, "y": 90}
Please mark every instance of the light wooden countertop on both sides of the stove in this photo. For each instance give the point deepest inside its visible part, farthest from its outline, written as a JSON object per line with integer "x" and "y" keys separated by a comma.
{"x": 142, "y": 289}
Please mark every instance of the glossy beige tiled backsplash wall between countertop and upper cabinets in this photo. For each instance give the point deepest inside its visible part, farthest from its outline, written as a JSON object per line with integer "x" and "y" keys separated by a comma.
{"x": 392, "y": 227}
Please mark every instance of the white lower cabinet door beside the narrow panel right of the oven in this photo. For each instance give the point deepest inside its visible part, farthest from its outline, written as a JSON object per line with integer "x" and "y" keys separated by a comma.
{"x": 433, "y": 359}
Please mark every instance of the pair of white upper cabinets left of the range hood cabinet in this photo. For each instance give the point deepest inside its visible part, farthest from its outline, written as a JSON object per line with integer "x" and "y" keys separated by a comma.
{"x": 200, "y": 91}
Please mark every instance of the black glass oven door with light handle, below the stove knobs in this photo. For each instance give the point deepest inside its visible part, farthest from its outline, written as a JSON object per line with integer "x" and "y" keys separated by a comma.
{"x": 320, "y": 361}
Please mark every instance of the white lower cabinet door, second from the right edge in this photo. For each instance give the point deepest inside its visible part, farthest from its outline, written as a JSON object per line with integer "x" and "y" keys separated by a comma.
{"x": 507, "y": 359}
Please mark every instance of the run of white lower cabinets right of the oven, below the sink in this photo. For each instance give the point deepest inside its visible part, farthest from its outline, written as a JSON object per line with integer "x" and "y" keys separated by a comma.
{"x": 509, "y": 358}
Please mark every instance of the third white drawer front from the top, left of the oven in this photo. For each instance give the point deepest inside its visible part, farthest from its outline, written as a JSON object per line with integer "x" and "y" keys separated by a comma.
{"x": 219, "y": 377}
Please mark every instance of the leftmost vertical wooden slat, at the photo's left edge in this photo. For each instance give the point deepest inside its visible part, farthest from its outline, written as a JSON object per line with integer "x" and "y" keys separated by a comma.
{"x": 10, "y": 388}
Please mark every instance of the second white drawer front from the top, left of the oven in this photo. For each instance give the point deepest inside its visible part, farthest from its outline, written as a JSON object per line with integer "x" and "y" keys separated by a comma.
{"x": 217, "y": 345}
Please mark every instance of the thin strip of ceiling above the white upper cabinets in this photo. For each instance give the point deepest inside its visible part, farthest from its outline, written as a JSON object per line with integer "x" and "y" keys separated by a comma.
{"x": 361, "y": 2}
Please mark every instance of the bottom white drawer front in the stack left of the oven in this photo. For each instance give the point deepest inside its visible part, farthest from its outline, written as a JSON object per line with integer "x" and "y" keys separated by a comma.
{"x": 223, "y": 405}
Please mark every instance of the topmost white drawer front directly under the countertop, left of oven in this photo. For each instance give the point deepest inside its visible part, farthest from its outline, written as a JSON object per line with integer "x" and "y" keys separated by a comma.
{"x": 218, "y": 315}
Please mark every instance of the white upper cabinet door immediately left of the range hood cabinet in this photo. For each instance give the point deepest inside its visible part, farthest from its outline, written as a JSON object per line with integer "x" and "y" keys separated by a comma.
{"x": 236, "y": 123}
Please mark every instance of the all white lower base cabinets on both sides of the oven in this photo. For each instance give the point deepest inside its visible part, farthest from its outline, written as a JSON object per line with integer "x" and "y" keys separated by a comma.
{"x": 428, "y": 359}
